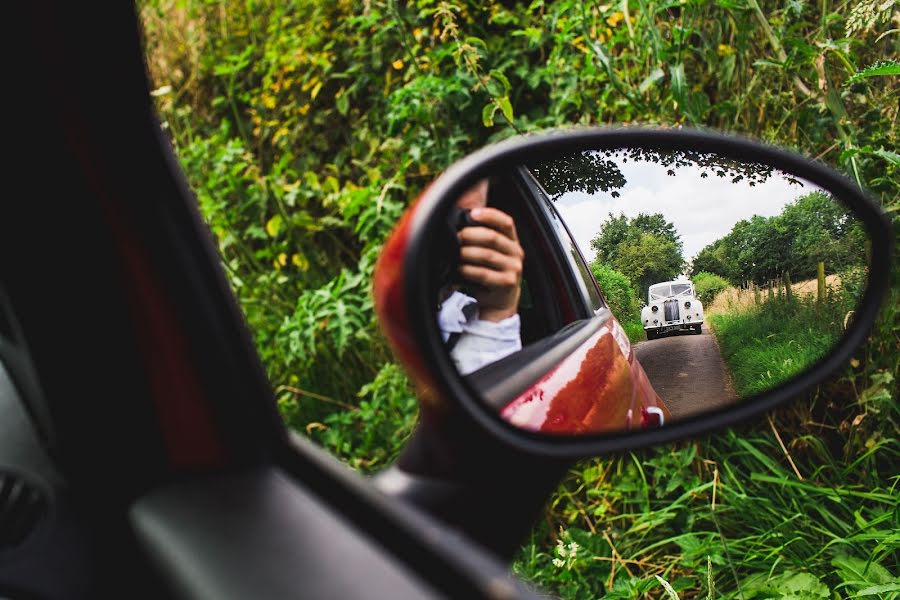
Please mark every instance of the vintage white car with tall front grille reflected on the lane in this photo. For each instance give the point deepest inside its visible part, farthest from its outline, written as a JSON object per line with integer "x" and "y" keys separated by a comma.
{"x": 672, "y": 306}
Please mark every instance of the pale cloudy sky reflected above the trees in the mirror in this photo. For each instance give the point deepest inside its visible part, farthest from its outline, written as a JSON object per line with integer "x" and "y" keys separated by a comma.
{"x": 702, "y": 210}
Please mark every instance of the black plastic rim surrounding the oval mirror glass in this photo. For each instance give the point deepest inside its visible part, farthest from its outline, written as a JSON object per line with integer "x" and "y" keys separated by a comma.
{"x": 426, "y": 220}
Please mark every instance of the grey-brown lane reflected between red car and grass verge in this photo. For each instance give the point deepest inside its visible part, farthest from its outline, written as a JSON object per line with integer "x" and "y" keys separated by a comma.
{"x": 687, "y": 372}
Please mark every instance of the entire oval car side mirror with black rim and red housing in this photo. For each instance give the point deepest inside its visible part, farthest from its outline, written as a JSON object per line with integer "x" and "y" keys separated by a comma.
{"x": 790, "y": 258}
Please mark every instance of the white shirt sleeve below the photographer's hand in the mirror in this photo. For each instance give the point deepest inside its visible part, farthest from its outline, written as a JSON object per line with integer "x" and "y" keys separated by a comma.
{"x": 480, "y": 342}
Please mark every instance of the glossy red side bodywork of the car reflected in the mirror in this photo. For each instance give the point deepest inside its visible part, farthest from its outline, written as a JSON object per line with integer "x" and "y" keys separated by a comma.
{"x": 600, "y": 387}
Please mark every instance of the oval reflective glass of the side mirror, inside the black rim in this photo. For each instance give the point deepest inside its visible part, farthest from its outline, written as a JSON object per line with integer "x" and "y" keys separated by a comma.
{"x": 618, "y": 289}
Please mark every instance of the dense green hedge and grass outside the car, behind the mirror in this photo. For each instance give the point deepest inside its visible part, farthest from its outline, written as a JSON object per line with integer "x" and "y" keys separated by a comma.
{"x": 305, "y": 128}
